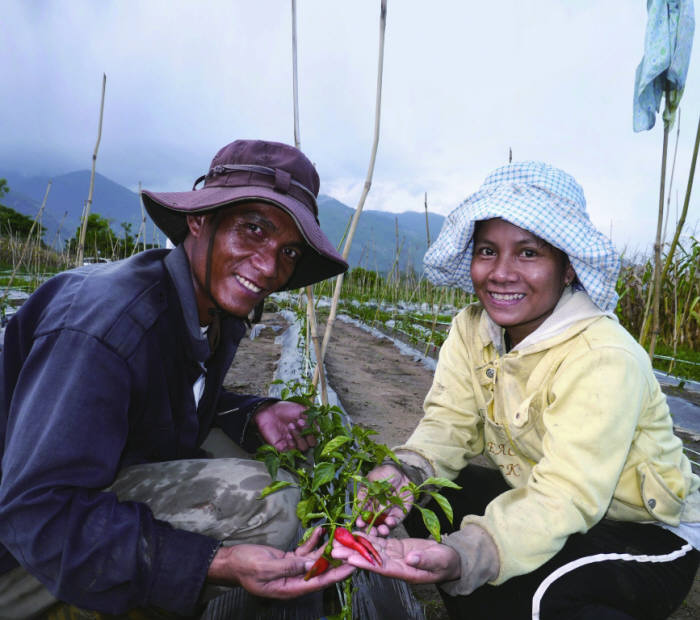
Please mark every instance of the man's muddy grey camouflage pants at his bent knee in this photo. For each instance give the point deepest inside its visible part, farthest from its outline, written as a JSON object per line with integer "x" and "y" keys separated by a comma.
{"x": 217, "y": 497}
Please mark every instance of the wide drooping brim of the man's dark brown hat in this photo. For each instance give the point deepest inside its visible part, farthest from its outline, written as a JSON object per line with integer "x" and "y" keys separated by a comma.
{"x": 169, "y": 211}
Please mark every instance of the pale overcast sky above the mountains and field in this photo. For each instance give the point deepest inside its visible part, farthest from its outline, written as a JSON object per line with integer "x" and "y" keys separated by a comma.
{"x": 464, "y": 81}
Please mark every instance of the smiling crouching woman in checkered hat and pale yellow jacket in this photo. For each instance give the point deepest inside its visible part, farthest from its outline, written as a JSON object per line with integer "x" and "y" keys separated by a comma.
{"x": 589, "y": 508}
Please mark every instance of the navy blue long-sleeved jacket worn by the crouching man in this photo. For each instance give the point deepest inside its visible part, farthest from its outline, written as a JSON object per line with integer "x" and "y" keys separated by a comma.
{"x": 97, "y": 374}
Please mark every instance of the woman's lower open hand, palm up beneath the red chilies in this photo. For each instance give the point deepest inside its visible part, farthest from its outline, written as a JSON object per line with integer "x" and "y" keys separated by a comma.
{"x": 415, "y": 560}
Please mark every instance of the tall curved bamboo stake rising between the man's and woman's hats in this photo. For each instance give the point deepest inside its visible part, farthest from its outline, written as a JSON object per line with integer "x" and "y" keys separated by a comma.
{"x": 365, "y": 191}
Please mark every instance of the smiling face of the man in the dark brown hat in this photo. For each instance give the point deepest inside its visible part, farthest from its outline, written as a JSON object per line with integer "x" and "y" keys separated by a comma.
{"x": 256, "y": 248}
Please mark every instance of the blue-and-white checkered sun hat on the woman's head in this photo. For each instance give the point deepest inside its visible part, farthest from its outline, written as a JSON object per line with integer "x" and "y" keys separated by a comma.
{"x": 543, "y": 200}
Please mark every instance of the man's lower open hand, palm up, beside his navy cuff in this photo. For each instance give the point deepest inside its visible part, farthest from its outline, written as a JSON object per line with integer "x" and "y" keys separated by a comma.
{"x": 271, "y": 573}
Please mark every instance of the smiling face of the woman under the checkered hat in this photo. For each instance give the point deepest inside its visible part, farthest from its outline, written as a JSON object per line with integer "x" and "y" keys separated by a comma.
{"x": 517, "y": 276}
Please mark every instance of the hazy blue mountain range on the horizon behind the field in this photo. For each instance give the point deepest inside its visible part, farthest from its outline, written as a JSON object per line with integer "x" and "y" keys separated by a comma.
{"x": 374, "y": 245}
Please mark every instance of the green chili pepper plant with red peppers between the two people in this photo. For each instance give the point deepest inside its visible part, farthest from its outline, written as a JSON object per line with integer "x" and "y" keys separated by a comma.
{"x": 329, "y": 477}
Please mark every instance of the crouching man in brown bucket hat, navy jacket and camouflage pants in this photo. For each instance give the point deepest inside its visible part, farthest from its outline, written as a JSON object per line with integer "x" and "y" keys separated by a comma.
{"x": 112, "y": 381}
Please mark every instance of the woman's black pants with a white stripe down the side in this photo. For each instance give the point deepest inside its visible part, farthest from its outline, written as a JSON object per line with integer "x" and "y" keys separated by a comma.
{"x": 616, "y": 570}
